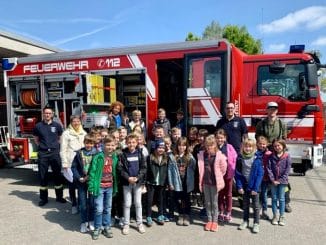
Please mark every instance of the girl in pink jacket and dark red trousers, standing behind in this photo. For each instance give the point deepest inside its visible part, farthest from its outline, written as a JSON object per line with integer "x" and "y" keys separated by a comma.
{"x": 225, "y": 195}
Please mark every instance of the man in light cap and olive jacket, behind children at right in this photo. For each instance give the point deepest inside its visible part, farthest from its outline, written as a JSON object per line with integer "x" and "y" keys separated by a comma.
{"x": 273, "y": 128}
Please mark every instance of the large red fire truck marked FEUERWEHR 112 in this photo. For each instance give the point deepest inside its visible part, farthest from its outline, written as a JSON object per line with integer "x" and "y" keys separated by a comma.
{"x": 197, "y": 77}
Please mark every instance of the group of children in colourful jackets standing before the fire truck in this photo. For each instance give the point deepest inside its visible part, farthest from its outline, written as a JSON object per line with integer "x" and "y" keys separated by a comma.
{"x": 114, "y": 169}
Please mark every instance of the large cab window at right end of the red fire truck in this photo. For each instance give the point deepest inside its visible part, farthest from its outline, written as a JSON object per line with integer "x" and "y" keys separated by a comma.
{"x": 289, "y": 83}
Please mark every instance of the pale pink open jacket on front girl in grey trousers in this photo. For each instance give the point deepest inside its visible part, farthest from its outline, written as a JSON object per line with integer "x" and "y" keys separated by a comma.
{"x": 219, "y": 169}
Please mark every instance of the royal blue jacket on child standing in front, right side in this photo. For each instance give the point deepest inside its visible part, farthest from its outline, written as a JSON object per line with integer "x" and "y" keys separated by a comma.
{"x": 255, "y": 177}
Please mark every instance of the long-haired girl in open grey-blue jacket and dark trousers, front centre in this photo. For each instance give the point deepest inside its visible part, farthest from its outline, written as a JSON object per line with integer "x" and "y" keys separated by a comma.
{"x": 185, "y": 172}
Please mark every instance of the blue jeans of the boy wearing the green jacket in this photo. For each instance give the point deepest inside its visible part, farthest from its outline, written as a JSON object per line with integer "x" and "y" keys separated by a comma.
{"x": 103, "y": 205}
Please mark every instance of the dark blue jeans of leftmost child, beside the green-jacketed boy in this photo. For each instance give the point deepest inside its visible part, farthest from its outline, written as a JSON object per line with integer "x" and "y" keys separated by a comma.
{"x": 86, "y": 204}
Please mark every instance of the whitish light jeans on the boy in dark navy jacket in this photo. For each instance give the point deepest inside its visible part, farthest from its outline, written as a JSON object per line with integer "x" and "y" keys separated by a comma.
{"x": 132, "y": 191}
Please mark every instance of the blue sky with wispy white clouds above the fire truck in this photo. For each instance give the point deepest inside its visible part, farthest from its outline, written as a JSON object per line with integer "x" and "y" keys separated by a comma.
{"x": 74, "y": 25}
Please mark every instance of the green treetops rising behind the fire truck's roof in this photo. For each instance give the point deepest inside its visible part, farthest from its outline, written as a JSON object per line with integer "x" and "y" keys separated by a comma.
{"x": 239, "y": 36}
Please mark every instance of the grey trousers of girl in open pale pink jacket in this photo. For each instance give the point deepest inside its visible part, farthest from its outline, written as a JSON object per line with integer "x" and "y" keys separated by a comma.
{"x": 211, "y": 199}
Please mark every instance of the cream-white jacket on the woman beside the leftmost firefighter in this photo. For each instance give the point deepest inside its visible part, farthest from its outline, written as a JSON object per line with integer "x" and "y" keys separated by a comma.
{"x": 71, "y": 141}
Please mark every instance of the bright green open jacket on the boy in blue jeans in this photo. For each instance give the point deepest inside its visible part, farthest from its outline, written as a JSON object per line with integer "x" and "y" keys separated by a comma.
{"x": 95, "y": 173}
